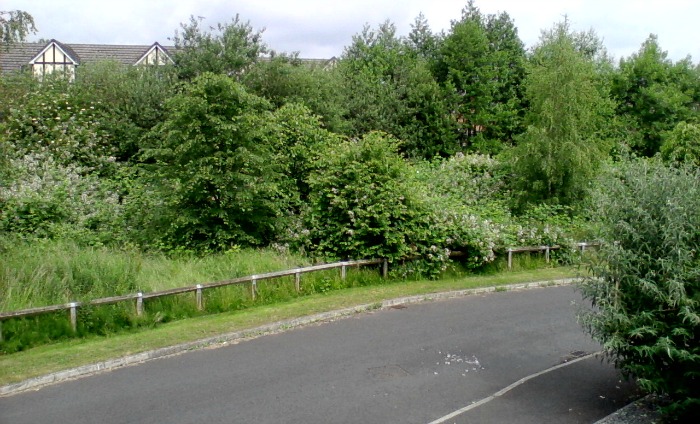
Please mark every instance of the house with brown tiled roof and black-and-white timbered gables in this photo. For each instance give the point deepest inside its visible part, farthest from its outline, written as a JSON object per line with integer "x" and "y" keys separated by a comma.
{"x": 54, "y": 56}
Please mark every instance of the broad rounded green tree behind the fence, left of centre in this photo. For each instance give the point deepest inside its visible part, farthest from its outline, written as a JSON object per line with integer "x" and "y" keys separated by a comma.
{"x": 221, "y": 177}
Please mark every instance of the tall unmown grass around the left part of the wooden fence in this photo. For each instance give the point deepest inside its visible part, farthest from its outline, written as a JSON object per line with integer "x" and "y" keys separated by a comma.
{"x": 55, "y": 272}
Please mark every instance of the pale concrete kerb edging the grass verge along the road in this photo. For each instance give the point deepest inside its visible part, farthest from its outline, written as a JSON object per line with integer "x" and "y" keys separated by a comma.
{"x": 235, "y": 337}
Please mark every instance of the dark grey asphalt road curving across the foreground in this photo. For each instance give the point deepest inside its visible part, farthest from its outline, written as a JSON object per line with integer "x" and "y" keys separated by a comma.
{"x": 414, "y": 364}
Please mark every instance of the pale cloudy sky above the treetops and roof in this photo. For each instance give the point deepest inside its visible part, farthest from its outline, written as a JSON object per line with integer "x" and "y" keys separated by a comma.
{"x": 321, "y": 29}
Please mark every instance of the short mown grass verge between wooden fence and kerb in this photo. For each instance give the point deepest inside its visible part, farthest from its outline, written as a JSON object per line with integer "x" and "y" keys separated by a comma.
{"x": 73, "y": 353}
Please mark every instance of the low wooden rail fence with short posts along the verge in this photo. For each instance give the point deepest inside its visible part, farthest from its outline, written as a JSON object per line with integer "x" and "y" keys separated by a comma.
{"x": 252, "y": 279}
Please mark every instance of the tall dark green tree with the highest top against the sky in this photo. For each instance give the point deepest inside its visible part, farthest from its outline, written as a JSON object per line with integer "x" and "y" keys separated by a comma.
{"x": 481, "y": 66}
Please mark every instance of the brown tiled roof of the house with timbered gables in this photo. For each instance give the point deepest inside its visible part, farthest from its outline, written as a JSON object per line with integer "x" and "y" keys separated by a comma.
{"x": 18, "y": 55}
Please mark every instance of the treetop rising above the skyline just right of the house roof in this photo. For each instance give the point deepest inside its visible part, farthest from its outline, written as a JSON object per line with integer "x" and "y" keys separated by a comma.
{"x": 227, "y": 48}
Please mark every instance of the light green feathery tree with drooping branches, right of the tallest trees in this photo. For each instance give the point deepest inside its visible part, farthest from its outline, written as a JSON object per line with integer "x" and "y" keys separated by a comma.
{"x": 561, "y": 148}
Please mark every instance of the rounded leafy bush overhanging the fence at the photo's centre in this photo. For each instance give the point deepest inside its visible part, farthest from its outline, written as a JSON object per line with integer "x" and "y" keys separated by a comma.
{"x": 361, "y": 205}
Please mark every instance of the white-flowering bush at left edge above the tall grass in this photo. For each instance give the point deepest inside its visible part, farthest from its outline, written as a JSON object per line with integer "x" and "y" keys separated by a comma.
{"x": 44, "y": 199}
